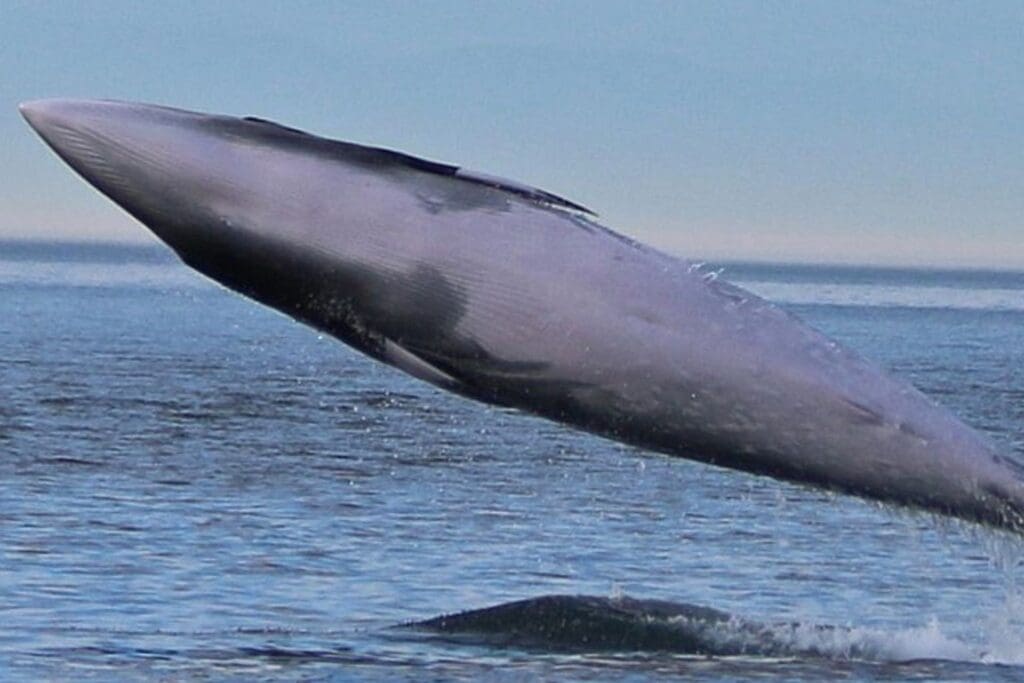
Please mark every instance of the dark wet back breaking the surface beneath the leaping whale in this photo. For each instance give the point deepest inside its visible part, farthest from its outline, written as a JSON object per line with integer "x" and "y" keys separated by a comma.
{"x": 591, "y": 624}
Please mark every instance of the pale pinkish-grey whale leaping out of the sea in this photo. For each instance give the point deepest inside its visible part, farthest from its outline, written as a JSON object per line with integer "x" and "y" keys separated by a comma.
{"x": 505, "y": 294}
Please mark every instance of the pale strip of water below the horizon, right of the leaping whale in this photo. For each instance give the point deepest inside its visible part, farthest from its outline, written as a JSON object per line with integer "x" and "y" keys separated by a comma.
{"x": 887, "y": 295}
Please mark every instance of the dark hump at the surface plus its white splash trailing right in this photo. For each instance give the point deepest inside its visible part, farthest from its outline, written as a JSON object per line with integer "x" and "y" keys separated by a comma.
{"x": 590, "y": 624}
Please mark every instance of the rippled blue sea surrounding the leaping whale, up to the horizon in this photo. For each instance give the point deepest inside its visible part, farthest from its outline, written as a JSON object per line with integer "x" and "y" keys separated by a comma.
{"x": 193, "y": 487}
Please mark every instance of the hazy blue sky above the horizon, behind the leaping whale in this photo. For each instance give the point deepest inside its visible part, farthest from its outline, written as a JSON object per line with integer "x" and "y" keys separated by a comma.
{"x": 886, "y": 134}
